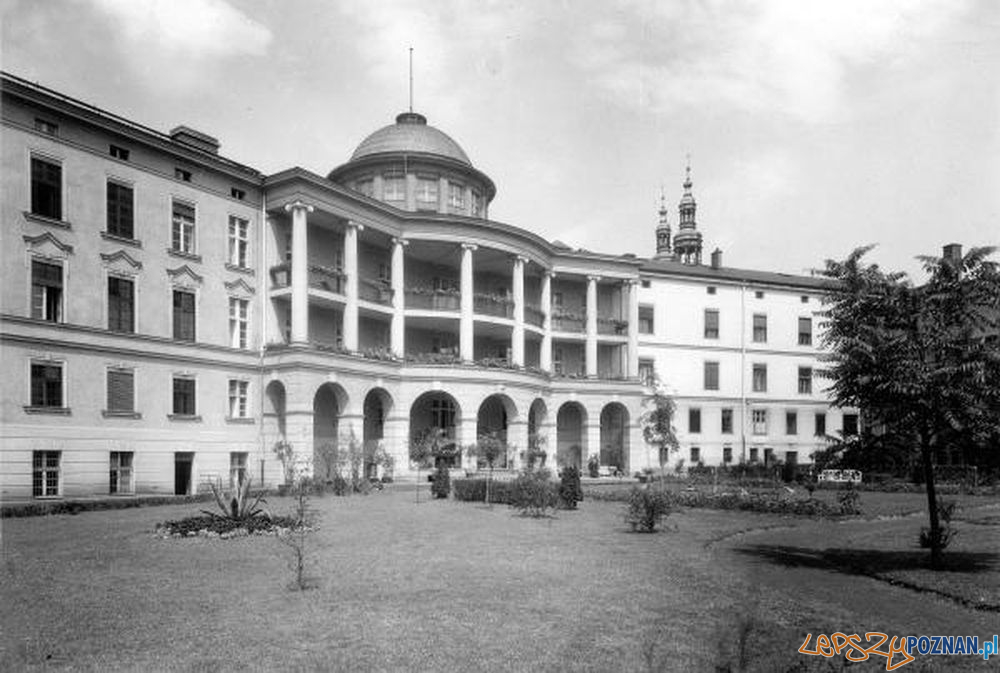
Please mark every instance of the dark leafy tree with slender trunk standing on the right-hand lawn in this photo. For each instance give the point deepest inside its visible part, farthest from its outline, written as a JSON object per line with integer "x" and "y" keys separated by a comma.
{"x": 921, "y": 362}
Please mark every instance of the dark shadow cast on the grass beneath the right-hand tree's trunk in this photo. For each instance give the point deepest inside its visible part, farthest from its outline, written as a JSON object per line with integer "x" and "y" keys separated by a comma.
{"x": 881, "y": 565}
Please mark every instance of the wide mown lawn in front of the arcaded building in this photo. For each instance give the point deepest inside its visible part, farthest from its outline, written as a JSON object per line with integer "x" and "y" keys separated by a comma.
{"x": 452, "y": 586}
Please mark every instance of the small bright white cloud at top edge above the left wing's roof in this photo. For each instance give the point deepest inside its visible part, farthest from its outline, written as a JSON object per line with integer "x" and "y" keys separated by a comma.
{"x": 191, "y": 28}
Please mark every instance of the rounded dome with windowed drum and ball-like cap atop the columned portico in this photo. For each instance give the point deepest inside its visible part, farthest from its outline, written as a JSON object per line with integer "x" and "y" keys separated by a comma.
{"x": 414, "y": 166}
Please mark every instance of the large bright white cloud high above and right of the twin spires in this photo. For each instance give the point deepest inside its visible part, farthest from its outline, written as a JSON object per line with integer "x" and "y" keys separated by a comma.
{"x": 780, "y": 56}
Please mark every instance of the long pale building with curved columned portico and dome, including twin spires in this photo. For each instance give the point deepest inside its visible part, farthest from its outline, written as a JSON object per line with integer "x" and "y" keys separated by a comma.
{"x": 169, "y": 315}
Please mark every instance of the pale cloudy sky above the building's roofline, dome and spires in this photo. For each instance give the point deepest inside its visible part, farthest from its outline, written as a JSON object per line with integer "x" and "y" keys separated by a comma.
{"x": 812, "y": 127}
